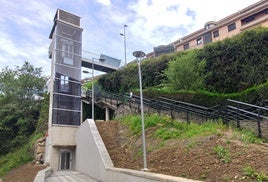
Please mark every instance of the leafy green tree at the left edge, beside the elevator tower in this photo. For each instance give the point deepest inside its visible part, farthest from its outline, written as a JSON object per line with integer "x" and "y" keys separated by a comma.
{"x": 19, "y": 110}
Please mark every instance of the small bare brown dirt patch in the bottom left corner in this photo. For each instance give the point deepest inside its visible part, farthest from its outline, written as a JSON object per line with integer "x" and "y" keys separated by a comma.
{"x": 24, "y": 173}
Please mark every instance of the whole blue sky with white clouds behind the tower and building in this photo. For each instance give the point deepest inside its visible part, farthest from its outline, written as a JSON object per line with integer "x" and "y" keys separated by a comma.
{"x": 25, "y": 26}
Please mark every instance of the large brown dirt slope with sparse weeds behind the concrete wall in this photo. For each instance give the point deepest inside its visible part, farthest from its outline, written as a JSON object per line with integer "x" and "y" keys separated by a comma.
{"x": 194, "y": 159}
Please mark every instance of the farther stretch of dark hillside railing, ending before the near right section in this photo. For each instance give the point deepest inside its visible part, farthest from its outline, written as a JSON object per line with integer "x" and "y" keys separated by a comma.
{"x": 159, "y": 105}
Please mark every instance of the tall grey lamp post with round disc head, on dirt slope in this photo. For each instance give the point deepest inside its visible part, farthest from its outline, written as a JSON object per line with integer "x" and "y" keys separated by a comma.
{"x": 139, "y": 55}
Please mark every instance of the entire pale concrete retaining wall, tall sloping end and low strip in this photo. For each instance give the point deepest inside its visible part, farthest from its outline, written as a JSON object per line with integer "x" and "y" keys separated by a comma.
{"x": 93, "y": 159}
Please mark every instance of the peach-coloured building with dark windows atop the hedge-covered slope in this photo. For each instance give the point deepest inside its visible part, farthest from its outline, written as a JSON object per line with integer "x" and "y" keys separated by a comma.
{"x": 251, "y": 16}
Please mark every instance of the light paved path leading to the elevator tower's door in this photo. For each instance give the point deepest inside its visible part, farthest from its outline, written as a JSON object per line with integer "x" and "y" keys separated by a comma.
{"x": 69, "y": 176}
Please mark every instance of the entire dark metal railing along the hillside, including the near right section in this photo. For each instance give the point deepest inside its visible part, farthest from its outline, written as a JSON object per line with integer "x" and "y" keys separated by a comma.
{"x": 231, "y": 111}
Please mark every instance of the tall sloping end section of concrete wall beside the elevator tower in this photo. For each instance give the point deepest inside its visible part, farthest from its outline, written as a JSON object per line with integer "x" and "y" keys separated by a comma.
{"x": 92, "y": 157}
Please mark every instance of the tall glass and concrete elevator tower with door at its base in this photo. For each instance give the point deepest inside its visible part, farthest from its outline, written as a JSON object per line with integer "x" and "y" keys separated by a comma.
{"x": 65, "y": 90}
